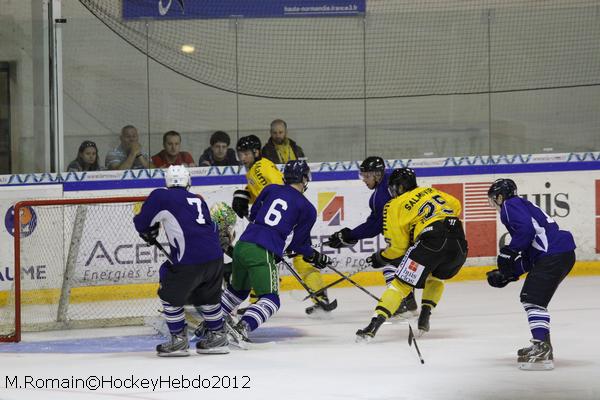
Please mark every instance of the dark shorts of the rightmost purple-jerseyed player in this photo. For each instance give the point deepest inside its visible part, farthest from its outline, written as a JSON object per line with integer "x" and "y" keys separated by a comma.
{"x": 545, "y": 276}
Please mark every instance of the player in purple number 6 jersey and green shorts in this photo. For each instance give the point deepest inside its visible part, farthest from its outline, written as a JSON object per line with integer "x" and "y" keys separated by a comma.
{"x": 278, "y": 211}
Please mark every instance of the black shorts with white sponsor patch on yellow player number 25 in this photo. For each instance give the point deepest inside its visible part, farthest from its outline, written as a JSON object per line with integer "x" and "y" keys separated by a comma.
{"x": 440, "y": 251}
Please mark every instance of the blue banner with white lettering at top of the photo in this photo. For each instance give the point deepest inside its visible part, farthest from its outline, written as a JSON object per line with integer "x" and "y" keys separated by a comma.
{"x": 213, "y": 9}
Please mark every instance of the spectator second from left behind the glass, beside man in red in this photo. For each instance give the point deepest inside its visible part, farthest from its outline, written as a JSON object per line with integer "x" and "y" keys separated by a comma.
{"x": 129, "y": 154}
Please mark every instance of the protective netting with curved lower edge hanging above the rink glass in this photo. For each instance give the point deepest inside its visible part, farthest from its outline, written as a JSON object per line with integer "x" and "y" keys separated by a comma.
{"x": 399, "y": 48}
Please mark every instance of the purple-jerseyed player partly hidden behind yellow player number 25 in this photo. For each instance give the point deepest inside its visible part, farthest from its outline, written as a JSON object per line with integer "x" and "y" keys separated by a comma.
{"x": 372, "y": 173}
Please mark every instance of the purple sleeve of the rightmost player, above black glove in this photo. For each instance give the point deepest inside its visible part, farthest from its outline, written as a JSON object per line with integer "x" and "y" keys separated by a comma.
{"x": 518, "y": 222}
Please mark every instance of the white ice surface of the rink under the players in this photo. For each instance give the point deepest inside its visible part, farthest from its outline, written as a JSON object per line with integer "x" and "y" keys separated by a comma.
{"x": 470, "y": 353}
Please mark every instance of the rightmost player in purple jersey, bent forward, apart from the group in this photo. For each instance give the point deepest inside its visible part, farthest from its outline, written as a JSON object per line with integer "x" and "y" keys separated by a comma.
{"x": 539, "y": 247}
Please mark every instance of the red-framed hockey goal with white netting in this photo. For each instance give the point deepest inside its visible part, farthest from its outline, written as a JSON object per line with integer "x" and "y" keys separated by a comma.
{"x": 79, "y": 263}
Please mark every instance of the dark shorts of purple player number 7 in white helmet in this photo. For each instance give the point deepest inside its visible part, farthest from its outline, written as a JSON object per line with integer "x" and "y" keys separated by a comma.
{"x": 192, "y": 284}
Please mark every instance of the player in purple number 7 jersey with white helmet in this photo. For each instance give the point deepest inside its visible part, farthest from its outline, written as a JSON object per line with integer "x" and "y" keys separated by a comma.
{"x": 194, "y": 273}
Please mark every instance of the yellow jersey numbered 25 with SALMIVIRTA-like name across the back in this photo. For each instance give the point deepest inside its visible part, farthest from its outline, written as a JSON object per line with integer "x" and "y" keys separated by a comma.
{"x": 405, "y": 216}
